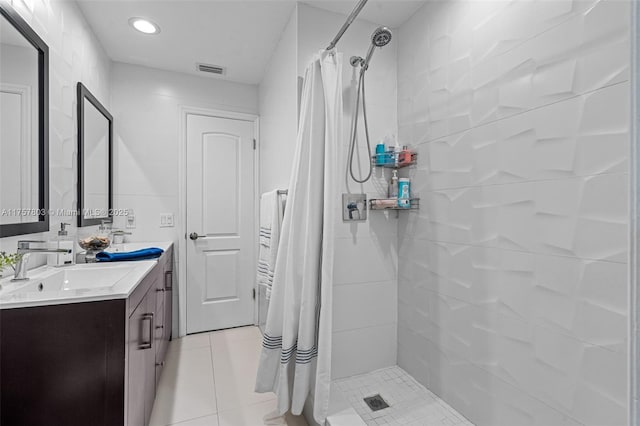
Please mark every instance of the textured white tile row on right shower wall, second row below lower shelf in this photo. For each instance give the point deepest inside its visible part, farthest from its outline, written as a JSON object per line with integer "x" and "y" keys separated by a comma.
{"x": 564, "y": 294}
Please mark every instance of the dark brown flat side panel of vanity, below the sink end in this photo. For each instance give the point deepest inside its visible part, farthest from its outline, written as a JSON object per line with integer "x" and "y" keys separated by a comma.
{"x": 63, "y": 364}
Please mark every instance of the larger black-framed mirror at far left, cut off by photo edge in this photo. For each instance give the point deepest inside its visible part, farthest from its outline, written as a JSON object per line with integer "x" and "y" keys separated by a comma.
{"x": 24, "y": 127}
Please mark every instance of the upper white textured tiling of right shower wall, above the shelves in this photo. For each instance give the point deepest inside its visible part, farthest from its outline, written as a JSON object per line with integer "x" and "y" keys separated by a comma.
{"x": 484, "y": 68}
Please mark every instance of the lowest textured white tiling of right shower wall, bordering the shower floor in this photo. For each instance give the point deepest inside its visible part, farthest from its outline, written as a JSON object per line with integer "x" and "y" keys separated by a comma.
{"x": 550, "y": 372}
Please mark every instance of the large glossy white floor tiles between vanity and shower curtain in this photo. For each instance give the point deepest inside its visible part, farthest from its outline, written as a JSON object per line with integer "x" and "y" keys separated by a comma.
{"x": 208, "y": 380}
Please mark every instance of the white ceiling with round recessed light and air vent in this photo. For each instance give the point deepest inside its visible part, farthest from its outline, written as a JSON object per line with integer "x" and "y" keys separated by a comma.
{"x": 239, "y": 35}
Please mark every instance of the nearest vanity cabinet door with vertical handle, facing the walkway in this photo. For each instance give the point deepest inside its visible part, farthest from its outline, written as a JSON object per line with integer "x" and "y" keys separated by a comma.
{"x": 140, "y": 339}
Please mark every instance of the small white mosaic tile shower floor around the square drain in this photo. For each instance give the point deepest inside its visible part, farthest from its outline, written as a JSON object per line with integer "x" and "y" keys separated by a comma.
{"x": 410, "y": 403}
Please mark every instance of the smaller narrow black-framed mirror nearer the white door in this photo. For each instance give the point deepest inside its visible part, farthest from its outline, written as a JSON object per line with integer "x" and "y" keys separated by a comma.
{"x": 95, "y": 147}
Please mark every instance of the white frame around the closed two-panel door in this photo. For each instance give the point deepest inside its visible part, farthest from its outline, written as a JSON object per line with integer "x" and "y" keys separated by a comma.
{"x": 182, "y": 201}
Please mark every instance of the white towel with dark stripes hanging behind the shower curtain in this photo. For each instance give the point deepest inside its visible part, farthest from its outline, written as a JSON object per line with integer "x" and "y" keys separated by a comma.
{"x": 270, "y": 220}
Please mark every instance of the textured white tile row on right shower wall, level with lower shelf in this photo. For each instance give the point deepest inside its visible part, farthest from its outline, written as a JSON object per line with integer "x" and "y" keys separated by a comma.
{"x": 583, "y": 217}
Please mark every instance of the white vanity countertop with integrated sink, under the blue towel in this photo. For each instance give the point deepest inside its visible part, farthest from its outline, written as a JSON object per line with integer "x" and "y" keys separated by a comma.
{"x": 49, "y": 285}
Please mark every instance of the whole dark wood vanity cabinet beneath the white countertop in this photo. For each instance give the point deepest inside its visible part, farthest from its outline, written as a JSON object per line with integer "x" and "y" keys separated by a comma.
{"x": 92, "y": 363}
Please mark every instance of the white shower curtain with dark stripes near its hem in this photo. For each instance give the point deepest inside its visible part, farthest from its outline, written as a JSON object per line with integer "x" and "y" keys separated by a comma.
{"x": 296, "y": 350}
